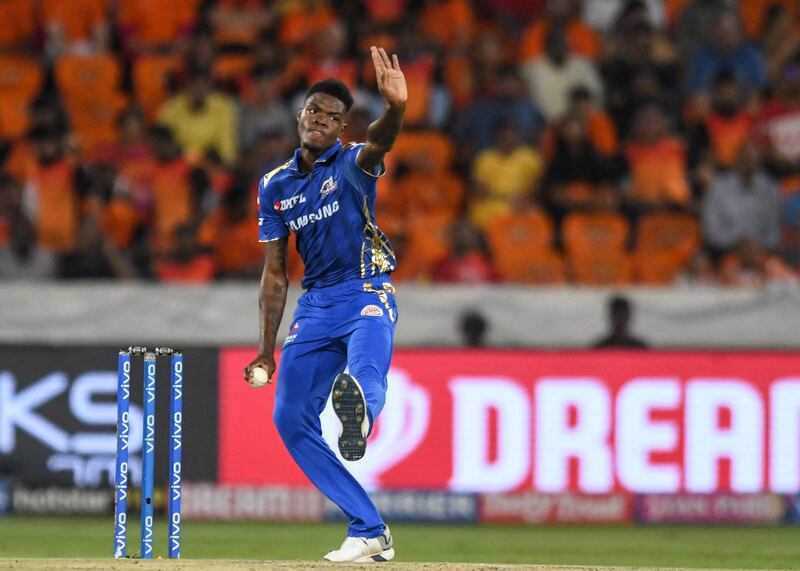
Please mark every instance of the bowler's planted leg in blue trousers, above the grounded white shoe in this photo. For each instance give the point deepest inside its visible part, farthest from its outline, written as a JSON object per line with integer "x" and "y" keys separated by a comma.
{"x": 307, "y": 370}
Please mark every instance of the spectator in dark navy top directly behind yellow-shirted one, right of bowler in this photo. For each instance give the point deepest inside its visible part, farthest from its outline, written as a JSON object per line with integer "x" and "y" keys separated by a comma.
{"x": 505, "y": 100}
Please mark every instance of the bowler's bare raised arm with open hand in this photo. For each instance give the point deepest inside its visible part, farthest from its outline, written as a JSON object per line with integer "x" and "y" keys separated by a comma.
{"x": 384, "y": 130}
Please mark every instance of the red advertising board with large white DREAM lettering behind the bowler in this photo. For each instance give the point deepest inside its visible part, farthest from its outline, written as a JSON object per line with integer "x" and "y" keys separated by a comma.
{"x": 554, "y": 422}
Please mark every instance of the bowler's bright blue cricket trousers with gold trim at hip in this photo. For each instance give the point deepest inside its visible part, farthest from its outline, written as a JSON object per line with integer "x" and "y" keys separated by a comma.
{"x": 350, "y": 324}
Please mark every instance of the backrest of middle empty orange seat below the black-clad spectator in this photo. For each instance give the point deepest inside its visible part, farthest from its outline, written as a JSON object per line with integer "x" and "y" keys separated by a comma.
{"x": 587, "y": 234}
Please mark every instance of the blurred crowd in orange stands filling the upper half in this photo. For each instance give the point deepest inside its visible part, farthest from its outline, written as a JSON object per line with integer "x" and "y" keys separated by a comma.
{"x": 546, "y": 141}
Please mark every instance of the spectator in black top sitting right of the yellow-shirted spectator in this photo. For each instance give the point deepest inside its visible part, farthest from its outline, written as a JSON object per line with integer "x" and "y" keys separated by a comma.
{"x": 577, "y": 175}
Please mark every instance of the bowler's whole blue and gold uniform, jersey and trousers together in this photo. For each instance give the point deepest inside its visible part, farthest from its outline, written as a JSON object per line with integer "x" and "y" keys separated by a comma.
{"x": 345, "y": 318}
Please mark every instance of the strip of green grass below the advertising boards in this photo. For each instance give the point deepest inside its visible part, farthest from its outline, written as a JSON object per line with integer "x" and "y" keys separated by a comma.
{"x": 742, "y": 547}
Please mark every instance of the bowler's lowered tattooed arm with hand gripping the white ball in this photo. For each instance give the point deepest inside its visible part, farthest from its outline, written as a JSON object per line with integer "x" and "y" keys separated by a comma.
{"x": 271, "y": 301}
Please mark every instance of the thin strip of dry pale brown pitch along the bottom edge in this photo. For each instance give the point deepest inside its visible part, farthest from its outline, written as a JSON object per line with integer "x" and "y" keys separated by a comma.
{"x": 231, "y": 565}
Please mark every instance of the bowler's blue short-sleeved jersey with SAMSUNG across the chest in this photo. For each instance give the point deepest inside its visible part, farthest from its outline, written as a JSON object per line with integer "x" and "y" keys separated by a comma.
{"x": 331, "y": 210}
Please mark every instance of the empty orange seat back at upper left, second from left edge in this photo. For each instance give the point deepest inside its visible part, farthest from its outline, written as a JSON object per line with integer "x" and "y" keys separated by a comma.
{"x": 82, "y": 78}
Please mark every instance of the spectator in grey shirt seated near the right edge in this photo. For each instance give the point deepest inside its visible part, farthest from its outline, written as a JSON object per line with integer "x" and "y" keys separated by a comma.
{"x": 742, "y": 205}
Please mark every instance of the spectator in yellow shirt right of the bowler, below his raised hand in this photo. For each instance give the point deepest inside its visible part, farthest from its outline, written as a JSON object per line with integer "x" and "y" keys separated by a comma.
{"x": 505, "y": 176}
